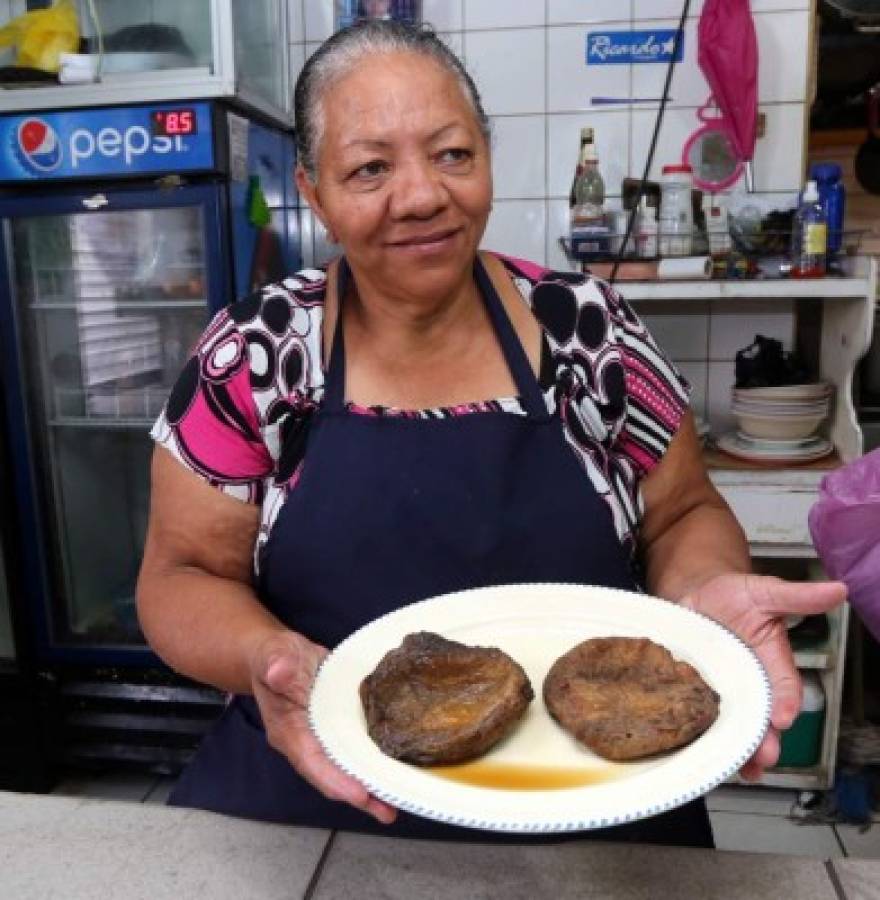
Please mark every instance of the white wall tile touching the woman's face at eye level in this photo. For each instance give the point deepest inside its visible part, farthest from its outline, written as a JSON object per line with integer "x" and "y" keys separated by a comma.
{"x": 519, "y": 157}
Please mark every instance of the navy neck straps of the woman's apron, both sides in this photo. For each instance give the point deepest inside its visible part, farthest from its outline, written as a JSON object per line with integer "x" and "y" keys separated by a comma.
{"x": 511, "y": 347}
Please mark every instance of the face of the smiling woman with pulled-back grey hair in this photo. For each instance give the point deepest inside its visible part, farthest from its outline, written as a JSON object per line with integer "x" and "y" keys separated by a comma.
{"x": 404, "y": 180}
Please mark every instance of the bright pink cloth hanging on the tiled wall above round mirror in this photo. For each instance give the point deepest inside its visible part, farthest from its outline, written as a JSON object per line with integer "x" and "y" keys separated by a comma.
{"x": 728, "y": 58}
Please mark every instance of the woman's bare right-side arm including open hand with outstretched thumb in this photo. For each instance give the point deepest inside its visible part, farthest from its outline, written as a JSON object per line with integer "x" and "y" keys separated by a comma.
{"x": 696, "y": 554}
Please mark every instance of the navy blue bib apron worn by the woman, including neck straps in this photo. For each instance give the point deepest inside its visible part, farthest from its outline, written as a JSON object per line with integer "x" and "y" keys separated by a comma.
{"x": 389, "y": 510}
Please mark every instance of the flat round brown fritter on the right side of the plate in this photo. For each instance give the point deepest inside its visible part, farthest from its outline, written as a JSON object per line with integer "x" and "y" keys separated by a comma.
{"x": 626, "y": 698}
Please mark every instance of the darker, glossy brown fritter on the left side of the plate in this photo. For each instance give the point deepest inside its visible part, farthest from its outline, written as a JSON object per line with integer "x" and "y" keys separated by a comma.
{"x": 432, "y": 701}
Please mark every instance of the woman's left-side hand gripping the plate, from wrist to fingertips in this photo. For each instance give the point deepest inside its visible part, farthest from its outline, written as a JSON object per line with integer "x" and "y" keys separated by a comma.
{"x": 283, "y": 669}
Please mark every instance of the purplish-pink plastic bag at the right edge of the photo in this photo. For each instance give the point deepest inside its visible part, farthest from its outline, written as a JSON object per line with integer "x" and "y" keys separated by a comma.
{"x": 845, "y": 525}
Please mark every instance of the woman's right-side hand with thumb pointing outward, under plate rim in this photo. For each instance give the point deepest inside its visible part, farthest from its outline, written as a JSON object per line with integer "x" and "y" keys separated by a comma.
{"x": 754, "y": 608}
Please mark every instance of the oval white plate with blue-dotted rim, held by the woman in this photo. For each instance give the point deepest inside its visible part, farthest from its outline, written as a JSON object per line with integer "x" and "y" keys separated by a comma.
{"x": 535, "y": 624}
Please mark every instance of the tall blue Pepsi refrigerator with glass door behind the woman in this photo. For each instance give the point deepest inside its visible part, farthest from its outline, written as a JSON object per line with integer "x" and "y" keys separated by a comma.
{"x": 122, "y": 230}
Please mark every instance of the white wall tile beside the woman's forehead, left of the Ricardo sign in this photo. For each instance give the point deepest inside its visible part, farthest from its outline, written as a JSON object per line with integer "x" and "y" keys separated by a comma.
{"x": 508, "y": 67}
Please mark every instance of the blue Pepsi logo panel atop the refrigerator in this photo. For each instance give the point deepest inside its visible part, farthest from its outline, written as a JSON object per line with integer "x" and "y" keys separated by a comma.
{"x": 95, "y": 143}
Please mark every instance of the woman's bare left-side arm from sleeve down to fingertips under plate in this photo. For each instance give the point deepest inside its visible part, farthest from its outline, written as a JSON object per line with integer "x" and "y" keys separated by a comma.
{"x": 198, "y": 610}
